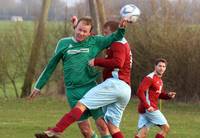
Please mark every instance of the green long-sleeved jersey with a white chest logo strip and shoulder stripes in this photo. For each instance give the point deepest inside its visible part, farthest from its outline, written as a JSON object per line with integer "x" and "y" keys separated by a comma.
{"x": 75, "y": 56}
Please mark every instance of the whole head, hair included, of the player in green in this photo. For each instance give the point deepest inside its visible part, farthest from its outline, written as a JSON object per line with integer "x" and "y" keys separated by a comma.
{"x": 83, "y": 28}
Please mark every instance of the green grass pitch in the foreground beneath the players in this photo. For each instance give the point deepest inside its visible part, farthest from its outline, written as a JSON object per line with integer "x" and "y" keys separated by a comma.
{"x": 22, "y": 118}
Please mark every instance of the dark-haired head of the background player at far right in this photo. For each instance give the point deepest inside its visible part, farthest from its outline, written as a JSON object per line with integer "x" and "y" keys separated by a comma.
{"x": 160, "y": 66}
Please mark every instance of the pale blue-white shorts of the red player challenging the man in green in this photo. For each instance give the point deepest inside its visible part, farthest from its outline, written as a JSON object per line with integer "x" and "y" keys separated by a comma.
{"x": 113, "y": 95}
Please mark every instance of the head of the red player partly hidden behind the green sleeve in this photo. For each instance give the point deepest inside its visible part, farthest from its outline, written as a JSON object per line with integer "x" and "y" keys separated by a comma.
{"x": 109, "y": 27}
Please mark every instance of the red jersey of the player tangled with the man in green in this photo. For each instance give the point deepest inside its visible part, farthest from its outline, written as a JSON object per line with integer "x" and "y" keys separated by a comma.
{"x": 118, "y": 61}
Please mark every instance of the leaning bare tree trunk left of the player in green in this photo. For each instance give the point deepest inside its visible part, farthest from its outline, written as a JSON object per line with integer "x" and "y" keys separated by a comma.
{"x": 37, "y": 43}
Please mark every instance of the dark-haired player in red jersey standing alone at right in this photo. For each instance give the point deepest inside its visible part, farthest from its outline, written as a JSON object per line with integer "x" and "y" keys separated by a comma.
{"x": 149, "y": 91}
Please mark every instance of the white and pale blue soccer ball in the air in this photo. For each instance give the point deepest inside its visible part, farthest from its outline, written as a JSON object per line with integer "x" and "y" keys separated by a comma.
{"x": 130, "y": 12}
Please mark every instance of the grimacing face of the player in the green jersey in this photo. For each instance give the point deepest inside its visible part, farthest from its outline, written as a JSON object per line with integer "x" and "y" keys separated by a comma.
{"x": 82, "y": 31}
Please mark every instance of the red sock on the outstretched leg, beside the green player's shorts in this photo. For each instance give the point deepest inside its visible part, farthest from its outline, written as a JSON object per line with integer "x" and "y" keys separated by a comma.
{"x": 67, "y": 120}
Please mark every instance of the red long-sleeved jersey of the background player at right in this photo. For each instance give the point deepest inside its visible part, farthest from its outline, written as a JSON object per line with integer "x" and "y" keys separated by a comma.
{"x": 149, "y": 91}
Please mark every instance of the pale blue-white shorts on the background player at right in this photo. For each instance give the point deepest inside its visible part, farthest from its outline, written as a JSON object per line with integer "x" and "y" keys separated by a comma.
{"x": 151, "y": 118}
